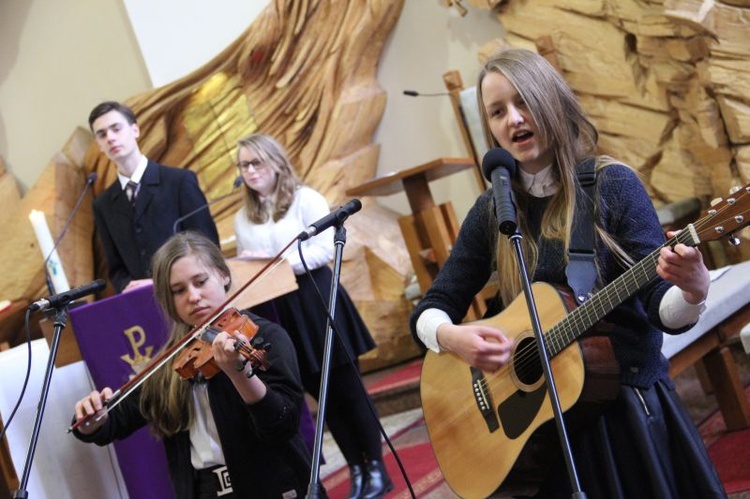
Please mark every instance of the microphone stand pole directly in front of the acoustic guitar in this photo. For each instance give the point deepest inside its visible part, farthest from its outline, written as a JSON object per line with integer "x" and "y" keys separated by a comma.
{"x": 515, "y": 240}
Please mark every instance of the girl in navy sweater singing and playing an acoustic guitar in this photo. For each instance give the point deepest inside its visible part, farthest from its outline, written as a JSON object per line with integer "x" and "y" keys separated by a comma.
{"x": 642, "y": 444}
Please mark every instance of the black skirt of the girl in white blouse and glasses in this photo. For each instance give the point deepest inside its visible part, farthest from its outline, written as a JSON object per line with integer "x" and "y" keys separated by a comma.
{"x": 304, "y": 317}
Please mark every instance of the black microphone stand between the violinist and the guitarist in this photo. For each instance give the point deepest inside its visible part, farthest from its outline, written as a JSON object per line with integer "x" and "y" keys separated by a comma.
{"x": 339, "y": 239}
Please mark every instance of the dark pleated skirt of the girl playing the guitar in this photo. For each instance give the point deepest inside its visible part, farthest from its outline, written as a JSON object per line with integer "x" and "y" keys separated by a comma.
{"x": 644, "y": 445}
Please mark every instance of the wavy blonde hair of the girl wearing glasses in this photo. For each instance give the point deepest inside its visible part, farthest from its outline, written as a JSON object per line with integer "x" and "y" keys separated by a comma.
{"x": 273, "y": 155}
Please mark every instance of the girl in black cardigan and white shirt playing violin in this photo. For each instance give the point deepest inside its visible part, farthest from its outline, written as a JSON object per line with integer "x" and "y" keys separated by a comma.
{"x": 242, "y": 422}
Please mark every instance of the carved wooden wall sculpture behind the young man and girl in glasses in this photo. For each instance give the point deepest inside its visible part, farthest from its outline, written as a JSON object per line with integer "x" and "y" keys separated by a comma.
{"x": 303, "y": 72}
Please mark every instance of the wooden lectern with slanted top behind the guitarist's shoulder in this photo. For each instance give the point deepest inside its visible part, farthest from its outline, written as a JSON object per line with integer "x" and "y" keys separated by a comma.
{"x": 430, "y": 230}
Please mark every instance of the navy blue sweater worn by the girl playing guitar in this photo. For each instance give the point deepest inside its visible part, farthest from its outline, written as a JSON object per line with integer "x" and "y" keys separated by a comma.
{"x": 627, "y": 214}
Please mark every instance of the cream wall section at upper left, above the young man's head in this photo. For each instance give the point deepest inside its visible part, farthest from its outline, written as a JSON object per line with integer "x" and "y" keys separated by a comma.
{"x": 58, "y": 59}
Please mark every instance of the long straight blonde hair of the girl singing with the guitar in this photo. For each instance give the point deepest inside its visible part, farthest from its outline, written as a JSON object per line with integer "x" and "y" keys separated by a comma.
{"x": 563, "y": 127}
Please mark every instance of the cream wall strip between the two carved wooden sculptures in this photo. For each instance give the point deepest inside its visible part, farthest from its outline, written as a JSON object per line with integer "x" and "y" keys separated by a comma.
{"x": 429, "y": 40}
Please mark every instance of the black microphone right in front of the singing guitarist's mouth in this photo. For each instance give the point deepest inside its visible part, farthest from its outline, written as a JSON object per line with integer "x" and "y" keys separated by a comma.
{"x": 498, "y": 167}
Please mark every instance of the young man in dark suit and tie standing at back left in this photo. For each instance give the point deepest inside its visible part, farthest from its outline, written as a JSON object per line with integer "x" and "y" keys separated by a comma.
{"x": 137, "y": 213}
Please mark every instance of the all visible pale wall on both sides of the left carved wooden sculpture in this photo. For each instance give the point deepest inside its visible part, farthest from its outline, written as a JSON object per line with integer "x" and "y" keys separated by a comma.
{"x": 92, "y": 50}
